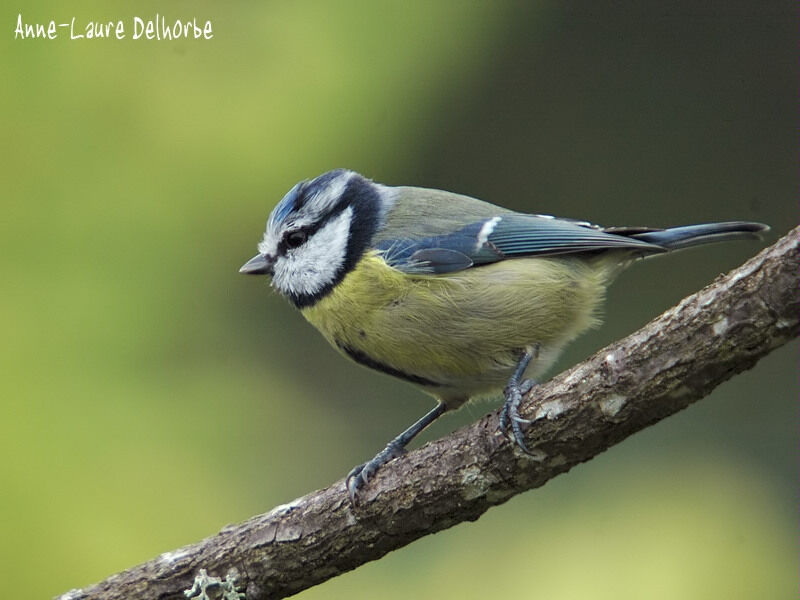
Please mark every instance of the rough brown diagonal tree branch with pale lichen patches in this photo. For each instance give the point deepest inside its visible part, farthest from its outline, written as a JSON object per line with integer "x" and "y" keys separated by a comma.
{"x": 672, "y": 362}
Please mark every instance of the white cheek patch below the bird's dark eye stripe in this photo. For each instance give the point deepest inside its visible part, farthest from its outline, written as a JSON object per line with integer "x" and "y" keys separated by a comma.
{"x": 309, "y": 268}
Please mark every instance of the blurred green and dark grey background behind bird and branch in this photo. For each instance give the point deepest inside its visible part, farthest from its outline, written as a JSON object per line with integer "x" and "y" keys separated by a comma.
{"x": 150, "y": 394}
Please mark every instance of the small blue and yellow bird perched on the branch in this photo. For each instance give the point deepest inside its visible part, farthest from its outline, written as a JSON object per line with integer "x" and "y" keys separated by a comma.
{"x": 460, "y": 297}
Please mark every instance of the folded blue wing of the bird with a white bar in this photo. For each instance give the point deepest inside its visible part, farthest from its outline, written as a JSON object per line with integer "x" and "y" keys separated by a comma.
{"x": 501, "y": 237}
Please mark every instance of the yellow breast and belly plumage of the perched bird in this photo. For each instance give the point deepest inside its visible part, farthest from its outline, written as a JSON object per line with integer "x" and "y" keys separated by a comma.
{"x": 460, "y": 335}
